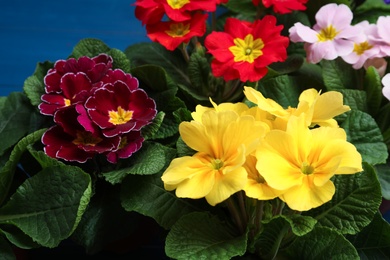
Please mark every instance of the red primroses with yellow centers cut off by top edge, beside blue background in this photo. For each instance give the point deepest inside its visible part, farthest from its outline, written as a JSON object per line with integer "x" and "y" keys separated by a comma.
{"x": 185, "y": 19}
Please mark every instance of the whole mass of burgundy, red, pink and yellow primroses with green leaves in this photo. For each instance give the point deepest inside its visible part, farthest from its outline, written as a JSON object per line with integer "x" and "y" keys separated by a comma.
{"x": 258, "y": 131}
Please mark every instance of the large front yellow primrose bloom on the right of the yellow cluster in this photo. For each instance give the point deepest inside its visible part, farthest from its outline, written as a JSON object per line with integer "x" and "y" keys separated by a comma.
{"x": 302, "y": 161}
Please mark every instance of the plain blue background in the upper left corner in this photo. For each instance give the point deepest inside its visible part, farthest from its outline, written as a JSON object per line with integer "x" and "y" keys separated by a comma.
{"x": 40, "y": 30}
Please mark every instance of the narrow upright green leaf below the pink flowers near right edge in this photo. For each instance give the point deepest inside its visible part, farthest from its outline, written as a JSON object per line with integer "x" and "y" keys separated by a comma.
{"x": 373, "y": 88}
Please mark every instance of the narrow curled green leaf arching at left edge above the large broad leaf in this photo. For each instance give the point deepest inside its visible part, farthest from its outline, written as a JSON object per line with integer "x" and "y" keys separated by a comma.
{"x": 7, "y": 172}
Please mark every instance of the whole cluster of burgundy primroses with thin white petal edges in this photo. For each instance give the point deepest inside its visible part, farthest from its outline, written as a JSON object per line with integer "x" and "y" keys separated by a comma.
{"x": 96, "y": 110}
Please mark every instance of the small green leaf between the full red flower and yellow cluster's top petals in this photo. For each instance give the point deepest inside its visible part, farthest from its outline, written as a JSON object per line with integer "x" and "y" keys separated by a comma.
{"x": 281, "y": 89}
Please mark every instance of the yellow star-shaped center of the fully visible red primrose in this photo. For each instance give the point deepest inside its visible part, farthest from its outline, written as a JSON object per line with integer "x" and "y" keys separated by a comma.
{"x": 247, "y": 49}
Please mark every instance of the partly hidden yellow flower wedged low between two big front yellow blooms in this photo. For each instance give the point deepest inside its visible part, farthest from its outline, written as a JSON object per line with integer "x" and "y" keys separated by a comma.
{"x": 256, "y": 187}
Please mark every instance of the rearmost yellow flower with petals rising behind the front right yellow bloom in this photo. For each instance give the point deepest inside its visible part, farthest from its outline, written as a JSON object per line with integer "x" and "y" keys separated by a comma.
{"x": 319, "y": 108}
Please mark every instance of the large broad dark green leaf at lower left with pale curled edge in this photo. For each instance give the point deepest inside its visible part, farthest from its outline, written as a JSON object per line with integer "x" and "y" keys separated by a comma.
{"x": 48, "y": 206}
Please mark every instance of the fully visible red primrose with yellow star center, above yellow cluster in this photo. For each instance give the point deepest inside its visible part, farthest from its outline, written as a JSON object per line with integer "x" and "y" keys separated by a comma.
{"x": 244, "y": 50}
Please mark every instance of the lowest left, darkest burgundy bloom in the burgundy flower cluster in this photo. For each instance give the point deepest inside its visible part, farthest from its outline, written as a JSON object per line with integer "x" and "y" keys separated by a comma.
{"x": 70, "y": 141}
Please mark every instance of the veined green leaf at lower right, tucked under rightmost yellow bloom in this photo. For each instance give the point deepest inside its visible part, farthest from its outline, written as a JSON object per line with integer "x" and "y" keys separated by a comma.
{"x": 354, "y": 204}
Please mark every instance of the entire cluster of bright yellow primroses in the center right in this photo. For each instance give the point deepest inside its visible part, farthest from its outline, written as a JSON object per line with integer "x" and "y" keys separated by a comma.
{"x": 265, "y": 150}
